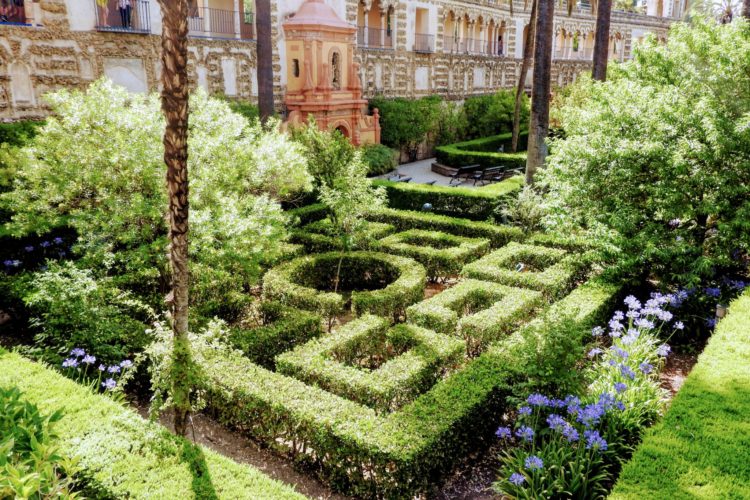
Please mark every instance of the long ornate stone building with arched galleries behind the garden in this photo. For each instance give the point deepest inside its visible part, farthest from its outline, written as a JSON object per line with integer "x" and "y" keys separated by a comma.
{"x": 409, "y": 48}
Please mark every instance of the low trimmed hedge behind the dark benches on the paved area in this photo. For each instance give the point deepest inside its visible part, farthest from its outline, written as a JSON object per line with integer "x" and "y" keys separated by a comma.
{"x": 483, "y": 152}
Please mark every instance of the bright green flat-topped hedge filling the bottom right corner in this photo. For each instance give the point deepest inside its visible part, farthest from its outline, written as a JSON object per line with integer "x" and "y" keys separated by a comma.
{"x": 700, "y": 448}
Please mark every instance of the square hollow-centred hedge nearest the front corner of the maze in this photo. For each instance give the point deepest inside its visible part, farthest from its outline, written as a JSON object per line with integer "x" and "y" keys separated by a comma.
{"x": 368, "y": 362}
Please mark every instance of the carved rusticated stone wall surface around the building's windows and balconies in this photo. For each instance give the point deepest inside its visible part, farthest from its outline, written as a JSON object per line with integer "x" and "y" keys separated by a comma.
{"x": 49, "y": 55}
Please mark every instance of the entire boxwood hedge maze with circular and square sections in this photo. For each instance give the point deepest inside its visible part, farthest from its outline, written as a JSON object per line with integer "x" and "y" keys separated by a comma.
{"x": 401, "y": 387}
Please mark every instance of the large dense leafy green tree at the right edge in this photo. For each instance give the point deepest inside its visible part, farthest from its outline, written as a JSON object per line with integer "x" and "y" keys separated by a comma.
{"x": 656, "y": 160}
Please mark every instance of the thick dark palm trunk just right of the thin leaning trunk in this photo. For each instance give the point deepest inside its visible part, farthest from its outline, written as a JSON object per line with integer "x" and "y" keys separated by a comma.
{"x": 540, "y": 89}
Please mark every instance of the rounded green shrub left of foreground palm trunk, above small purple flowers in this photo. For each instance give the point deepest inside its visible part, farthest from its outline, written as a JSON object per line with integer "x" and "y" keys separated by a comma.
{"x": 71, "y": 308}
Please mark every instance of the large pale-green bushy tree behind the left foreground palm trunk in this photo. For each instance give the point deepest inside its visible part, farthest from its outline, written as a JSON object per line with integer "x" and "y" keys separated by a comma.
{"x": 97, "y": 167}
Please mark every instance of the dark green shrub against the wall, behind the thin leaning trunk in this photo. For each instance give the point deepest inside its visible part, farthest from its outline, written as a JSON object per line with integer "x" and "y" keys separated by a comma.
{"x": 493, "y": 114}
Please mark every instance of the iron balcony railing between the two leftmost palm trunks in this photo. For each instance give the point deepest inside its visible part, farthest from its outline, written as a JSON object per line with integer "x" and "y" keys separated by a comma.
{"x": 217, "y": 23}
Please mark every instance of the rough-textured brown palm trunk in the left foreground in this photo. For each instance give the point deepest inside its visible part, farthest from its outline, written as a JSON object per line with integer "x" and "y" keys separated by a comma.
{"x": 174, "y": 102}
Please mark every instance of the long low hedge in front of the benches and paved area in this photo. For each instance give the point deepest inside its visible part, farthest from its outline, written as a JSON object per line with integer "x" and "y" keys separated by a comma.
{"x": 471, "y": 203}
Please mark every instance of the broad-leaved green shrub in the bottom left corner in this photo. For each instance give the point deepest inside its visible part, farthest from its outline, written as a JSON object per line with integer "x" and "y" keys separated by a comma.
{"x": 32, "y": 464}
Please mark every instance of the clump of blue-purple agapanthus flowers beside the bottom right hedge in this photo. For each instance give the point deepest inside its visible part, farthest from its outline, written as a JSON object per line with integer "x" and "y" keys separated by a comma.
{"x": 572, "y": 446}
